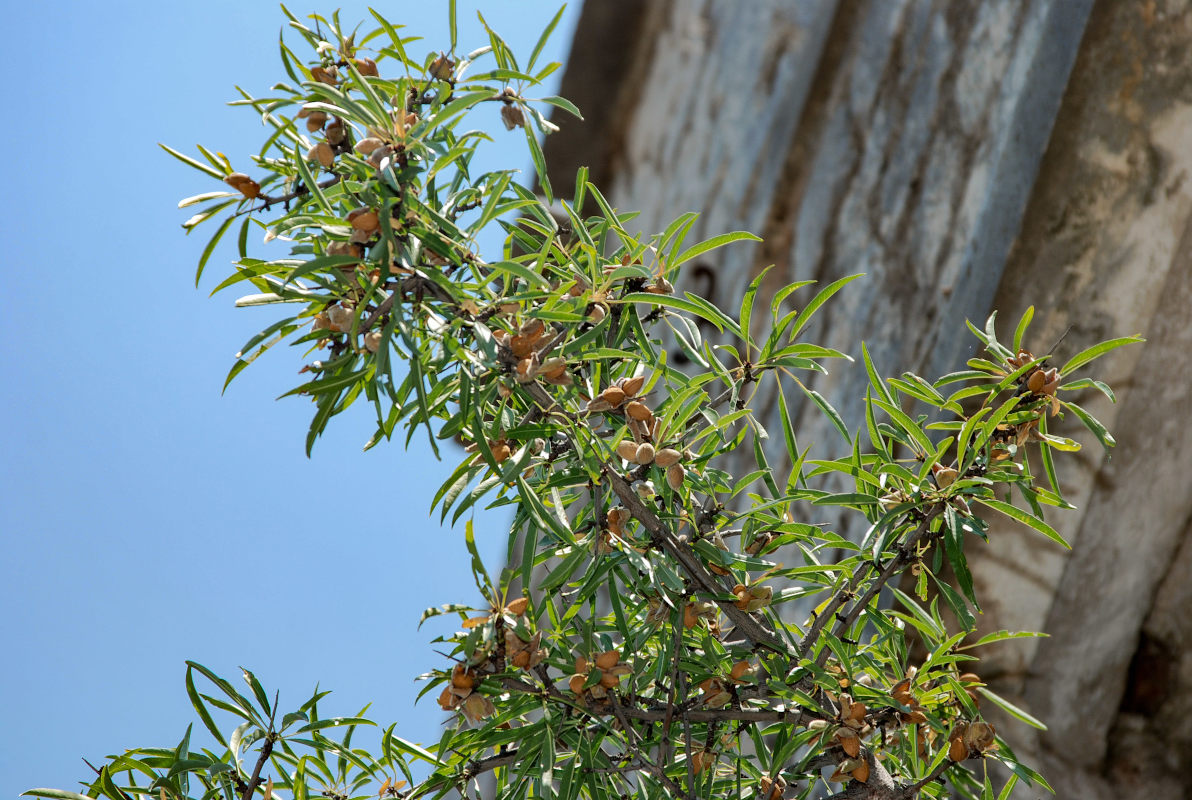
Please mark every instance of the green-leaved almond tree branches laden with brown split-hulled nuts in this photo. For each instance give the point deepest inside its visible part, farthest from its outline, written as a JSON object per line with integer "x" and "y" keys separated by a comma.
{"x": 636, "y": 644}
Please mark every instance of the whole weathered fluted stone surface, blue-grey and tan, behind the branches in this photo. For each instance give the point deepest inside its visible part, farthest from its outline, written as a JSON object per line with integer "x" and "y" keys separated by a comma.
{"x": 915, "y": 141}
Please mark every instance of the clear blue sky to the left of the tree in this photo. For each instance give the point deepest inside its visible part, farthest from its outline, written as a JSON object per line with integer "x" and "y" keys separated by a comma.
{"x": 146, "y": 519}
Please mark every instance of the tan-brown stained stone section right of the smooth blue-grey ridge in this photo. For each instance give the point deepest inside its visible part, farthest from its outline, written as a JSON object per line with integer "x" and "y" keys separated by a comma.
{"x": 1107, "y": 249}
